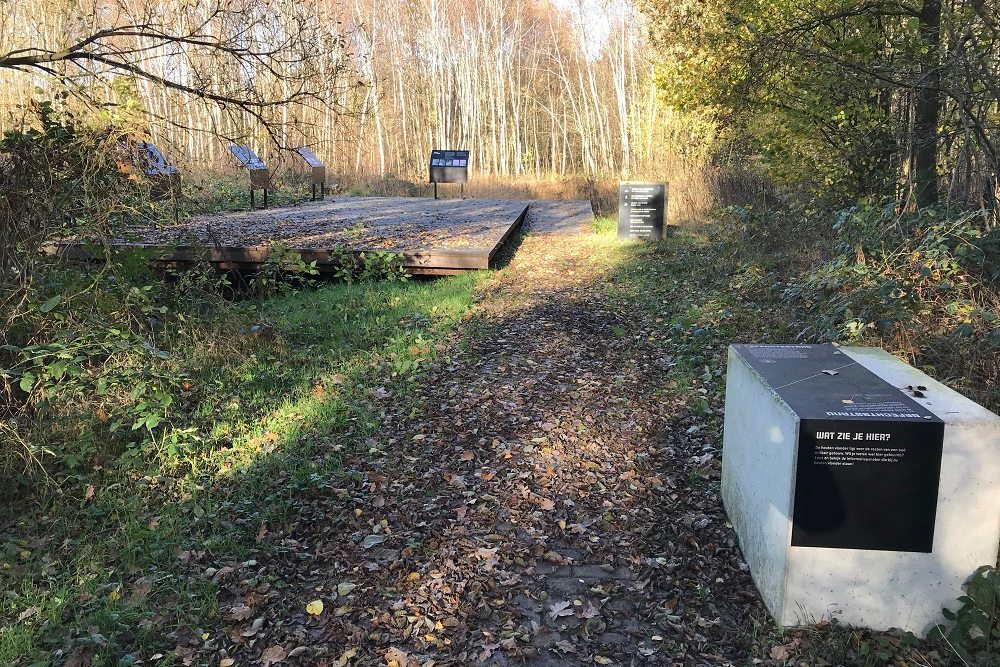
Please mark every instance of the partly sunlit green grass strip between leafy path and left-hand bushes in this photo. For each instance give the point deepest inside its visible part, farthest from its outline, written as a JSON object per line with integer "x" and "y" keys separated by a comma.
{"x": 278, "y": 394}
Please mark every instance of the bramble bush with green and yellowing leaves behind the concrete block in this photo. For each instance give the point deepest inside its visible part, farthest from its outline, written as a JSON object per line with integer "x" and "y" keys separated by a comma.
{"x": 922, "y": 284}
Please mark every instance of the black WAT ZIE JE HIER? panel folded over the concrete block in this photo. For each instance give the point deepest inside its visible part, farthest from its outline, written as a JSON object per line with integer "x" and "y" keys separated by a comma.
{"x": 869, "y": 456}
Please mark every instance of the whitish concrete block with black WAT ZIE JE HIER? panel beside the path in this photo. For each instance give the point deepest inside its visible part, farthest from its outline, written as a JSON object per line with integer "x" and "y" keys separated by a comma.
{"x": 852, "y": 496}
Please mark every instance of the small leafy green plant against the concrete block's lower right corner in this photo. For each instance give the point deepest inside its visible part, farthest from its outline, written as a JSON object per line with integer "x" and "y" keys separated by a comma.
{"x": 973, "y": 632}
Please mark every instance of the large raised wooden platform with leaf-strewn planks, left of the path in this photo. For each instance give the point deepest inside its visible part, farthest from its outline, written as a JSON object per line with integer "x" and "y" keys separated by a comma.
{"x": 435, "y": 237}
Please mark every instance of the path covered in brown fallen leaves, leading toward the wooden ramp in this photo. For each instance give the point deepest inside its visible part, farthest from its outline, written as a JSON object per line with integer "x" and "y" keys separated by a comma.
{"x": 547, "y": 502}
